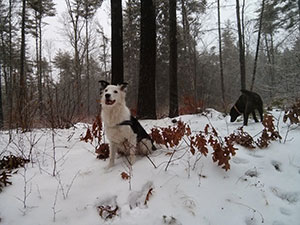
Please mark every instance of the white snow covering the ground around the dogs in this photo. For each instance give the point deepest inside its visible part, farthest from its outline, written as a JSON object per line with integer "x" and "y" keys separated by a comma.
{"x": 262, "y": 186}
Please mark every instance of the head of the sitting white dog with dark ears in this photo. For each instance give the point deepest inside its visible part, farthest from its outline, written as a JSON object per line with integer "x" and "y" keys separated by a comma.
{"x": 112, "y": 95}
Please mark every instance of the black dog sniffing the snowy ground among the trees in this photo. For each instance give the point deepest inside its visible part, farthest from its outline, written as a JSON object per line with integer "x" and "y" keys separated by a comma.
{"x": 247, "y": 103}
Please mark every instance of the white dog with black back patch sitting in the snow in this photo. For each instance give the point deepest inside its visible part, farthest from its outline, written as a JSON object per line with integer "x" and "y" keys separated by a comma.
{"x": 124, "y": 132}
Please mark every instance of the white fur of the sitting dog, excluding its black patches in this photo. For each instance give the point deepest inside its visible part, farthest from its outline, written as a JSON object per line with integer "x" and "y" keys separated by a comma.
{"x": 121, "y": 138}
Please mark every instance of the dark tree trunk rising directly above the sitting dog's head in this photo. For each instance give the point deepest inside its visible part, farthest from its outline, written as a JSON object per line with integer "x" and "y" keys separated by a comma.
{"x": 117, "y": 42}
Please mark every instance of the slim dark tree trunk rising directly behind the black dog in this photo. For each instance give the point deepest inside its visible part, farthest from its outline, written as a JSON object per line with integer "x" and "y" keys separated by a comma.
{"x": 241, "y": 47}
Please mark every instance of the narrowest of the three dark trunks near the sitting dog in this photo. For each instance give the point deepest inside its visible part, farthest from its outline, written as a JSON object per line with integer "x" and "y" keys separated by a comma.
{"x": 173, "y": 89}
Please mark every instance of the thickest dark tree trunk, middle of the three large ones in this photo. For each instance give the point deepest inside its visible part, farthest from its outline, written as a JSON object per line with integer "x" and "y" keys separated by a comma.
{"x": 146, "y": 92}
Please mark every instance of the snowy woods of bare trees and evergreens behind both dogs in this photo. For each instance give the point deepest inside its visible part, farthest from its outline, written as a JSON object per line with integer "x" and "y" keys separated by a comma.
{"x": 174, "y": 57}
